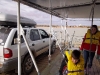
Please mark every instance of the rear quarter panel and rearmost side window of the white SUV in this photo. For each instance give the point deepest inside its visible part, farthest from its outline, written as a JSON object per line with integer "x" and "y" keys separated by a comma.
{"x": 13, "y": 42}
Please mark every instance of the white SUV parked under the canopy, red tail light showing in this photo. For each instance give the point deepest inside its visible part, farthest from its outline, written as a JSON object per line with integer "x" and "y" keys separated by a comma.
{"x": 38, "y": 41}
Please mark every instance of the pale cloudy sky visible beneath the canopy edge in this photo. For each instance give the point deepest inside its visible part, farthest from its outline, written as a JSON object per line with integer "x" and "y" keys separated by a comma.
{"x": 10, "y": 7}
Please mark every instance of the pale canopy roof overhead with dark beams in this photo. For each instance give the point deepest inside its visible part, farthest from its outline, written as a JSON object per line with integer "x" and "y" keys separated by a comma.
{"x": 66, "y": 8}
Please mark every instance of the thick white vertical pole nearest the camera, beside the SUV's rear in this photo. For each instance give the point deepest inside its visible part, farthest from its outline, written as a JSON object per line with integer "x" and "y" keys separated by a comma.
{"x": 19, "y": 41}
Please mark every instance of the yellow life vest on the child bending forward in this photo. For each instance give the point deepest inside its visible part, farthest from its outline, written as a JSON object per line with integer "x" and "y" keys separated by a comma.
{"x": 73, "y": 67}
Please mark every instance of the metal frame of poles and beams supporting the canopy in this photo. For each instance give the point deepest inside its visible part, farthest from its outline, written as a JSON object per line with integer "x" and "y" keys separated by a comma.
{"x": 52, "y": 13}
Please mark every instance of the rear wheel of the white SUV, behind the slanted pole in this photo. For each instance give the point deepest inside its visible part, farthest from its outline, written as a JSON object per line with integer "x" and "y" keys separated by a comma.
{"x": 27, "y": 65}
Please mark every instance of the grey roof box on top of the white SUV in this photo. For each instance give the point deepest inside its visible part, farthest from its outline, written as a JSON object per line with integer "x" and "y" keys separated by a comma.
{"x": 11, "y": 20}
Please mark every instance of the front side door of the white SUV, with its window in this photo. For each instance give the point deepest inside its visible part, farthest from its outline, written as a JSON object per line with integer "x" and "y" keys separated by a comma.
{"x": 45, "y": 39}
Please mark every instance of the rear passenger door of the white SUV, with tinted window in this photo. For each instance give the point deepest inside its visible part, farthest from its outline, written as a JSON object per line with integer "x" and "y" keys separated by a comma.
{"x": 36, "y": 42}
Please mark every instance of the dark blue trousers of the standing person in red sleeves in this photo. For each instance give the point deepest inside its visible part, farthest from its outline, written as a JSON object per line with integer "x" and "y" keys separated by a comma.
{"x": 88, "y": 57}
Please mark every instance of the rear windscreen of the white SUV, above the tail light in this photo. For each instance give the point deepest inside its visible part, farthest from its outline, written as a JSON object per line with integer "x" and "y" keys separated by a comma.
{"x": 4, "y": 32}
